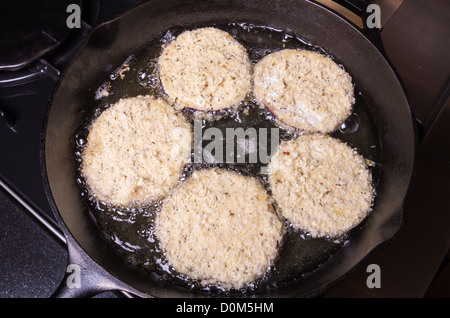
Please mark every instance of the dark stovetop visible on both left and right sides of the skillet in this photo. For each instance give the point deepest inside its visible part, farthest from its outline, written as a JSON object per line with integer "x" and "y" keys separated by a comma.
{"x": 33, "y": 255}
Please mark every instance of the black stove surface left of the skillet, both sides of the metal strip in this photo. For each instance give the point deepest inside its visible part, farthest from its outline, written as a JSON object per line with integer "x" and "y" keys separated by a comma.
{"x": 33, "y": 252}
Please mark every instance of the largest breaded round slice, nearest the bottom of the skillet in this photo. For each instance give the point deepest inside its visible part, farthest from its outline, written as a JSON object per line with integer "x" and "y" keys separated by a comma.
{"x": 220, "y": 228}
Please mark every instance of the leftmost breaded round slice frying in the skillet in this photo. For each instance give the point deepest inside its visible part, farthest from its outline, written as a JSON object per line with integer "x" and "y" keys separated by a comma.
{"x": 136, "y": 150}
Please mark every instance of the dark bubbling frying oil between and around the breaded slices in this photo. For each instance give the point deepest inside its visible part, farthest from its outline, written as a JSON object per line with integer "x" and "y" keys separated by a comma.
{"x": 300, "y": 254}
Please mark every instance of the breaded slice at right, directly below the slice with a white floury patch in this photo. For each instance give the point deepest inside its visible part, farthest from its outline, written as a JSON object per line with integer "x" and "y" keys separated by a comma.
{"x": 320, "y": 184}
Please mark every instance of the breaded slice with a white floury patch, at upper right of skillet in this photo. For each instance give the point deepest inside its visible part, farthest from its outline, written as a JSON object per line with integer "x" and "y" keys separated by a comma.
{"x": 304, "y": 89}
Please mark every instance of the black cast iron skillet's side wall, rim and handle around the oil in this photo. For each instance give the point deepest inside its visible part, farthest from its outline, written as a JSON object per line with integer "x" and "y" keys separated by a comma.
{"x": 111, "y": 43}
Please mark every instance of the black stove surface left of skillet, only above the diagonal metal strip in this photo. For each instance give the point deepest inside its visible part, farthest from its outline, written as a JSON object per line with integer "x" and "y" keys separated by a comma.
{"x": 24, "y": 96}
